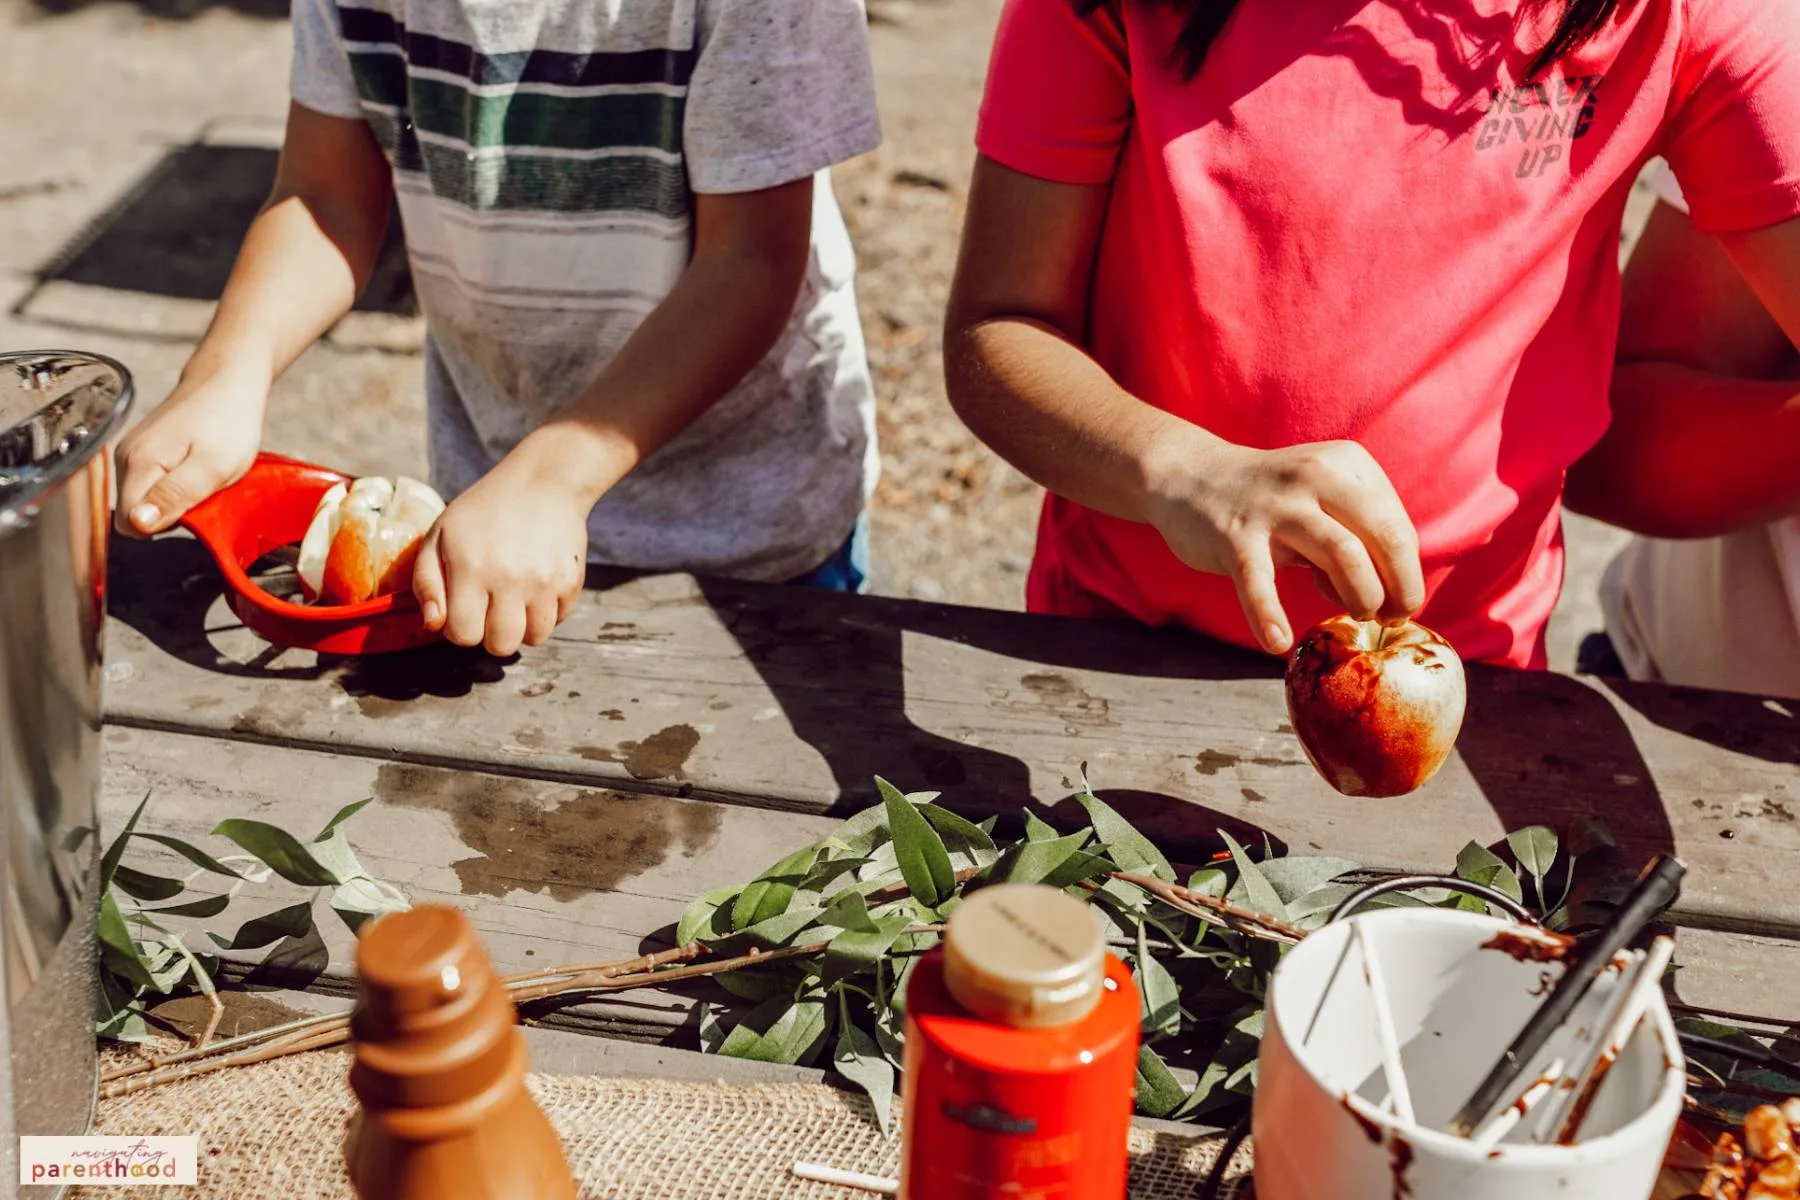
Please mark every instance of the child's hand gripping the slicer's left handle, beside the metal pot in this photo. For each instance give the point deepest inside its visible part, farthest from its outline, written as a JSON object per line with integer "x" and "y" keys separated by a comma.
{"x": 201, "y": 440}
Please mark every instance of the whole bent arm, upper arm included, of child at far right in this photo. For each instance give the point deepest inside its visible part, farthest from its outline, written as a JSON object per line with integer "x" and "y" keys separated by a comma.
{"x": 1705, "y": 434}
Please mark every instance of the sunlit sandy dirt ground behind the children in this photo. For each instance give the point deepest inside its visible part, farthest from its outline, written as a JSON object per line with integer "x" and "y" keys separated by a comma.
{"x": 96, "y": 98}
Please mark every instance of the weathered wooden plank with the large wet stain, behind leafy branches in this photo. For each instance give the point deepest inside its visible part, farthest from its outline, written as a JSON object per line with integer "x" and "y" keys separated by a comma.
{"x": 552, "y": 875}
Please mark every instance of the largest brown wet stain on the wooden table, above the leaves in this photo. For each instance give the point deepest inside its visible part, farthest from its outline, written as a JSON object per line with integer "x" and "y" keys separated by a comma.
{"x": 591, "y": 843}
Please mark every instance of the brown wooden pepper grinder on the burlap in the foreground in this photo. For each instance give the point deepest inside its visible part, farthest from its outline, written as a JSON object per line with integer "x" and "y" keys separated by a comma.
{"x": 440, "y": 1070}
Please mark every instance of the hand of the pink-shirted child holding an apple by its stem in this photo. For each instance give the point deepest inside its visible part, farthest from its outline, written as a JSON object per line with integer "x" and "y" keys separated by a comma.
{"x": 1243, "y": 514}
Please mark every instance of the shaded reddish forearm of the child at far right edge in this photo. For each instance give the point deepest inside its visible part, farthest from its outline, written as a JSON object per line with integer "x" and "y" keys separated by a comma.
{"x": 1693, "y": 454}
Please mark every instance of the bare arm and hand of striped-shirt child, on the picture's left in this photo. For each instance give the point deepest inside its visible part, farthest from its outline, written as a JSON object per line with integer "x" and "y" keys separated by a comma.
{"x": 303, "y": 264}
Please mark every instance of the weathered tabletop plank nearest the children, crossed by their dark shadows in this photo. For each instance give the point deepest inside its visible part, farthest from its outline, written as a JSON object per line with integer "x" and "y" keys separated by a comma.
{"x": 787, "y": 699}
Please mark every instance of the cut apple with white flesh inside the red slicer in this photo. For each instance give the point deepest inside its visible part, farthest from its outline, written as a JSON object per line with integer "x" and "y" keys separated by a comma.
{"x": 364, "y": 539}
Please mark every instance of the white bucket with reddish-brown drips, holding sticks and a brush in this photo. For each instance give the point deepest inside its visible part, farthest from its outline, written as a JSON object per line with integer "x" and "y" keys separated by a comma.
{"x": 1461, "y": 987}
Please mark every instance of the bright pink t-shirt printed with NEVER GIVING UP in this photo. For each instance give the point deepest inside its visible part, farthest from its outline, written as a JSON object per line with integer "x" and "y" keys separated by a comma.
{"x": 1360, "y": 224}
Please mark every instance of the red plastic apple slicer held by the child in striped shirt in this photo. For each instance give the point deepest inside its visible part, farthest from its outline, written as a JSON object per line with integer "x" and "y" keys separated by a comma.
{"x": 265, "y": 512}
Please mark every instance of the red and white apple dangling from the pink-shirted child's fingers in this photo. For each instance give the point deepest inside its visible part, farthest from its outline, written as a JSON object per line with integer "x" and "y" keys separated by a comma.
{"x": 1376, "y": 706}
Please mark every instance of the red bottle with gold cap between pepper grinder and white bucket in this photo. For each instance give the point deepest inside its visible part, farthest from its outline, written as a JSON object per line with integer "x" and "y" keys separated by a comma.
{"x": 1021, "y": 1055}
